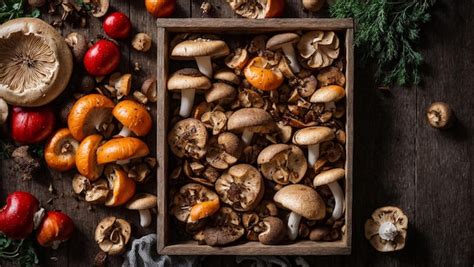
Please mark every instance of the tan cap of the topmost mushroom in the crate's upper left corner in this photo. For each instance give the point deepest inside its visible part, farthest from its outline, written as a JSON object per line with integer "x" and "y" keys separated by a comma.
{"x": 200, "y": 47}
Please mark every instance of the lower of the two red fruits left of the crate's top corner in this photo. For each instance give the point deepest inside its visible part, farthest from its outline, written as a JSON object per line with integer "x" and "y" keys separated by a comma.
{"x": 102, "y": 58}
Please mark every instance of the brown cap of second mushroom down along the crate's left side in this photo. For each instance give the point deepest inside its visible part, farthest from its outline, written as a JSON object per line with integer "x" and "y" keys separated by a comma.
{"x": 188, "y": 78}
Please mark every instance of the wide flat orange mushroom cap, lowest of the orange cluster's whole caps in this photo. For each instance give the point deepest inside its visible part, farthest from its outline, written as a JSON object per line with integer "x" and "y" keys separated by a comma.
{"x": 123, "y": 148}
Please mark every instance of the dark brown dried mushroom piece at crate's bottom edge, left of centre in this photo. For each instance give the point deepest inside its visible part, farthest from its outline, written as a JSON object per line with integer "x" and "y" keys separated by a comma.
{"x": 225, "y": 228}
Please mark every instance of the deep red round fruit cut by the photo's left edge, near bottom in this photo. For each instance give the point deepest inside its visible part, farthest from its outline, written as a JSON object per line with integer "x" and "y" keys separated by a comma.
{"x": 16, "y": 217}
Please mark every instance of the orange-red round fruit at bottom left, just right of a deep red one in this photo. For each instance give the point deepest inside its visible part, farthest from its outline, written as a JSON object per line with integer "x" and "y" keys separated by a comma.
{"x": 56, "y": 227}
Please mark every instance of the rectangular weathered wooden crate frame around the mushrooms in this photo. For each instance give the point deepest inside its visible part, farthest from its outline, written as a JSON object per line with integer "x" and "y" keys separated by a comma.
{"x": 246, "y": 26}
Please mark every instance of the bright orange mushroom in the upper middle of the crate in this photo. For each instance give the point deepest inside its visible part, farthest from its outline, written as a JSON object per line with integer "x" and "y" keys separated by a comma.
{"x": 261, "y": 76}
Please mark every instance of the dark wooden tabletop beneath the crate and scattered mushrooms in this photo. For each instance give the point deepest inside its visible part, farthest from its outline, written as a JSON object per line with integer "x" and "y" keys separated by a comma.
{"x": 398, "y": 159}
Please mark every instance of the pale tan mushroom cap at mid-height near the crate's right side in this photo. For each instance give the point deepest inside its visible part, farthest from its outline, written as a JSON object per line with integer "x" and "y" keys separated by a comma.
{"x": 313, "y": 135}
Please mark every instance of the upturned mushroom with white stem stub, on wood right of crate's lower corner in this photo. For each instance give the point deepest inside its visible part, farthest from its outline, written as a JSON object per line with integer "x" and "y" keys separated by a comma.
{"x": 386, "y": 230}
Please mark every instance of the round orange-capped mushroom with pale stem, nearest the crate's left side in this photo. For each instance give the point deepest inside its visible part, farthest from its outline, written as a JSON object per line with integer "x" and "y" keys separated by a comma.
{"x": 134, "y": 117}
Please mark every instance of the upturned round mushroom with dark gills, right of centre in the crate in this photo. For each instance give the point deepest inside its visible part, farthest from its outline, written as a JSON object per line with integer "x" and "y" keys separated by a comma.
{"x": 282, "y": 163}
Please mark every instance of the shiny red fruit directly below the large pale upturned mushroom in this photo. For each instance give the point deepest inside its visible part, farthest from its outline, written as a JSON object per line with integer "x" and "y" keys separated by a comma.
{"x": 32, "y": 125}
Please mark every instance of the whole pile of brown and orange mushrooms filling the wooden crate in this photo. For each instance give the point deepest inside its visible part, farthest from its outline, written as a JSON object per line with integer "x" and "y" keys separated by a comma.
{"x": 258, "y": 138}
